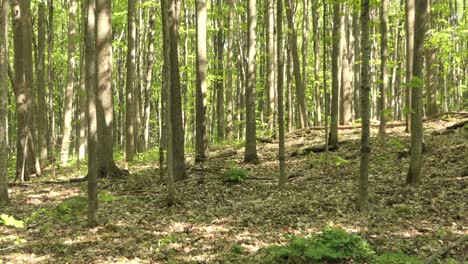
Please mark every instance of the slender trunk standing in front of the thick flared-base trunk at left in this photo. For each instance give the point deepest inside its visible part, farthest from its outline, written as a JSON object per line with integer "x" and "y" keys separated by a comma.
{"x": 90, "y": 51}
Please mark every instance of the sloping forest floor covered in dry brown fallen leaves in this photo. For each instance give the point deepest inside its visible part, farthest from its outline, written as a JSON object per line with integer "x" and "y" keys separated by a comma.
{"x": 218, "y": 222}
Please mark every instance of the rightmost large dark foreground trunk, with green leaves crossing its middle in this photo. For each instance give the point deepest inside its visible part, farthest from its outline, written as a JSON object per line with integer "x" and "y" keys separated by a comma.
{"x": 417, "y": 131}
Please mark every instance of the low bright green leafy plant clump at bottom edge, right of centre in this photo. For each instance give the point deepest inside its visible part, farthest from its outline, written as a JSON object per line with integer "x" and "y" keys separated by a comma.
{"x": 332, "y": 244}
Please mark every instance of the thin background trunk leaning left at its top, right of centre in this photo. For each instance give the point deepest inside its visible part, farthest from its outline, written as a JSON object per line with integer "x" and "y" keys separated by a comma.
{"x": 300, "y": 90}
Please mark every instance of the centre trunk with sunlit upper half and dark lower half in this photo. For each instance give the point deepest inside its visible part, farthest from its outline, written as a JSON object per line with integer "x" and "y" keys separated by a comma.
{"x": 250, "y": 129}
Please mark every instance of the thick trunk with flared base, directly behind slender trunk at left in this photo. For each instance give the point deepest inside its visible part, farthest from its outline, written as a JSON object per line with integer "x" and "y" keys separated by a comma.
{"x": 105, "y": 105}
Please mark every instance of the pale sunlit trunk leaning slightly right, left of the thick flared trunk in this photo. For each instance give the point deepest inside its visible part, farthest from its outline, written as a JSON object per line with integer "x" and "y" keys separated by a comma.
{"x": 68, "y": 106}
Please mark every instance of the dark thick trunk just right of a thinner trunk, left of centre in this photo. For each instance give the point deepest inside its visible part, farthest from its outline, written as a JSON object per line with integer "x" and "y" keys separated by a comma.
{"x": 175, "y": 109}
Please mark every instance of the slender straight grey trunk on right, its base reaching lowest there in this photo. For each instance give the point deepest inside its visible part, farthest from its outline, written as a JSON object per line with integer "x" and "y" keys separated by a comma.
{"x": 363, "y": 196}
